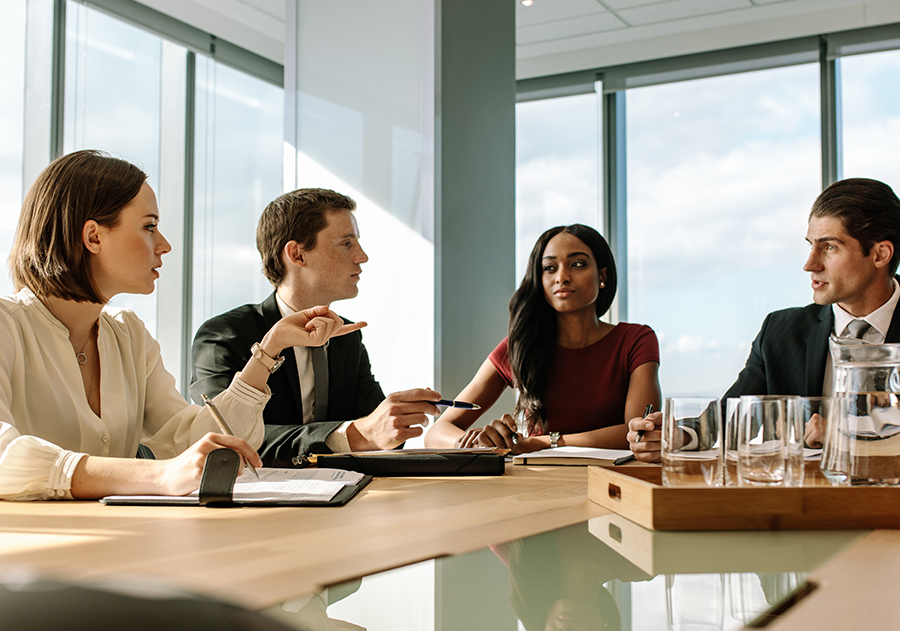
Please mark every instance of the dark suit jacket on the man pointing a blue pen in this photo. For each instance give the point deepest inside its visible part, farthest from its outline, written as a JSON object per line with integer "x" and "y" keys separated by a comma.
{"x": 222, "y": 347}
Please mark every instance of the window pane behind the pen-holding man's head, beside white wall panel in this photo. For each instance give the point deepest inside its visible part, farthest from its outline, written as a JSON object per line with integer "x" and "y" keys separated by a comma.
{"x": 237, "y": 172}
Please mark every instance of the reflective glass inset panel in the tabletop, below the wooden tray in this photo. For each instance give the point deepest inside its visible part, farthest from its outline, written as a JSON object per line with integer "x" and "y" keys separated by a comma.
{"x": 607, "y": 573}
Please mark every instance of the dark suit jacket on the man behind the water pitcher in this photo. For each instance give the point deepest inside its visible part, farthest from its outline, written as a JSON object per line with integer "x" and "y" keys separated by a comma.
{"x": 789, "y": 353}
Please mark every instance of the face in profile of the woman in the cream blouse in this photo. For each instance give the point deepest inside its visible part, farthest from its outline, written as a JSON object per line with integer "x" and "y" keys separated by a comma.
{"x": 126, "y": 258}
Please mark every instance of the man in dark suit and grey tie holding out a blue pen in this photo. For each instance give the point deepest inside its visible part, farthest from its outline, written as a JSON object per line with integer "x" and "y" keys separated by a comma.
{"x": 326, "y": 399}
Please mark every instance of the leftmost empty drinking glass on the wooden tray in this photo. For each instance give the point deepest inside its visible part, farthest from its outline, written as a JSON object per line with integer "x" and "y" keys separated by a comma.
{"x": 691, "y": 442}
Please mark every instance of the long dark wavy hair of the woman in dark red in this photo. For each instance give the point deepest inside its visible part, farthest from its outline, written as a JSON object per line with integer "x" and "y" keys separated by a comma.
{"x": 532, "y": 321}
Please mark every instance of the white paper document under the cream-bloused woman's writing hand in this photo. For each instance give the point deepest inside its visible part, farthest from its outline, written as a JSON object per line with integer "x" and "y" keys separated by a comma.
{"x": 274, "y": 485}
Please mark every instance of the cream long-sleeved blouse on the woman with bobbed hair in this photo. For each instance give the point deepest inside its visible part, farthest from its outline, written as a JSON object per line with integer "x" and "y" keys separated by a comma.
{"x": 46, "y": 423}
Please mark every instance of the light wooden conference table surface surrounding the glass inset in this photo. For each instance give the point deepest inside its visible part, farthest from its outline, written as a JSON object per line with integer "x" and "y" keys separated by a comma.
{"x": 259, "y": 557}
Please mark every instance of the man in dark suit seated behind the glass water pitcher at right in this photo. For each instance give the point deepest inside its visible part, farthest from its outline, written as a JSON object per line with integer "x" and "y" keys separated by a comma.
{"x": 854, "y": 238}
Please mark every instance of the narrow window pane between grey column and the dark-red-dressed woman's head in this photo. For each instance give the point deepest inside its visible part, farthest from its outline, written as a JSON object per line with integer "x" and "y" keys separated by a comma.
{"x": 558, "y": 177}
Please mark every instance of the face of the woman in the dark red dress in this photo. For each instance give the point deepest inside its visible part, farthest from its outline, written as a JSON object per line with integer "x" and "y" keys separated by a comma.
{"x": 570, "y": 276}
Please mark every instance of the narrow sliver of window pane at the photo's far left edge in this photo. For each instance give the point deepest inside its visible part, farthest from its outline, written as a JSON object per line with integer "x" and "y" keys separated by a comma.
{"x": 12, "y": 99}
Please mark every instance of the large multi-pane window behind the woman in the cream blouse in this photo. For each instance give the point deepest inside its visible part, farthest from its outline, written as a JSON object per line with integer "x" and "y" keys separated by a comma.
{"x": 209, "y": 136}
